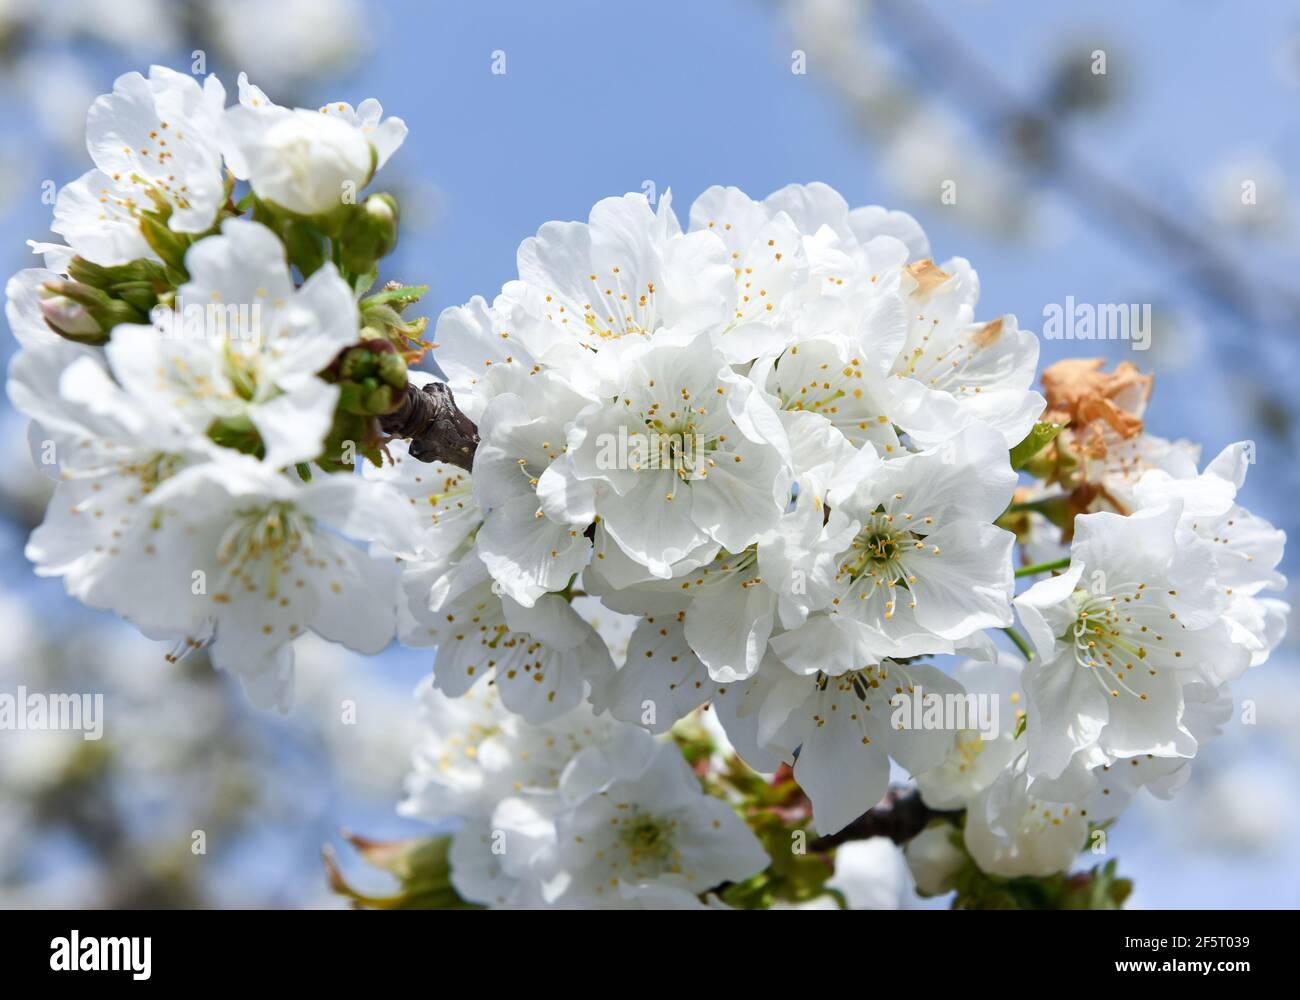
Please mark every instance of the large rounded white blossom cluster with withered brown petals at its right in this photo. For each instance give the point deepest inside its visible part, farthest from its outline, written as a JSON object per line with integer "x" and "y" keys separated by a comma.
{"x": 779, "y": 444}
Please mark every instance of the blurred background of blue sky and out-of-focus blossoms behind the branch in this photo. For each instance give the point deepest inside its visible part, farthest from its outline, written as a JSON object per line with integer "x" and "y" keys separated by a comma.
{"x": 989, "y": 120}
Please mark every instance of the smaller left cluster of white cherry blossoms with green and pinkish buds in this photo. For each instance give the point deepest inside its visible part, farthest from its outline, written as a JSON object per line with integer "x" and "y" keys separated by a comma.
{"x": 188, "y": 345}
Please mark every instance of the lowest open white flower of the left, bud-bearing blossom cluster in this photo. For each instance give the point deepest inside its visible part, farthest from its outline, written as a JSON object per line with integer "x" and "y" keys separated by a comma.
{"x": 252, "y": 560}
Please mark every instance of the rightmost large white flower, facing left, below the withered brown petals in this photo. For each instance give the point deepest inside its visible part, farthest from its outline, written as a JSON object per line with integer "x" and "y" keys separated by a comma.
{"x": 1119, "y": 635}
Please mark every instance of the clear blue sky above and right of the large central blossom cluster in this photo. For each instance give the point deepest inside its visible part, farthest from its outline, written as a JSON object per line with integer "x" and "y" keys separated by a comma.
{"x": 600, "y": 99}
